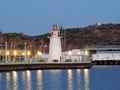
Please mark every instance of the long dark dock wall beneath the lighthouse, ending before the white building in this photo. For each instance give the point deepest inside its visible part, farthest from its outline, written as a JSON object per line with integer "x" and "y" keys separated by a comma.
{"x": 34, "y": 66}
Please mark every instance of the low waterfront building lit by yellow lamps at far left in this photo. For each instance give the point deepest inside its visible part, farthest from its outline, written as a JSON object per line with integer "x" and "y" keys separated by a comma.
{"x": 14, "y": 55}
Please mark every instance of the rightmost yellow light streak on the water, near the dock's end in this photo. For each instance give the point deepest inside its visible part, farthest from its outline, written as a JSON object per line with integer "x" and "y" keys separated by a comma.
{"x": 86, "y": 79}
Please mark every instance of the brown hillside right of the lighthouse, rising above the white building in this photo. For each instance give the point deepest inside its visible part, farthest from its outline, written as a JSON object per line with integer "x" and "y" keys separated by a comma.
{"x": 104, "y": 34}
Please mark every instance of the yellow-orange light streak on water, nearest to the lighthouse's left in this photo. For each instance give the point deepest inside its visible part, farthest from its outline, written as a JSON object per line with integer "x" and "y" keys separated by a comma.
{"x": 39, "y": 80}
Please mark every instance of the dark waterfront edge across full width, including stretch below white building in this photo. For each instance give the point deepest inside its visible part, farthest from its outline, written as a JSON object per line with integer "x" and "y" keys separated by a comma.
{"x": 54, "y": 65}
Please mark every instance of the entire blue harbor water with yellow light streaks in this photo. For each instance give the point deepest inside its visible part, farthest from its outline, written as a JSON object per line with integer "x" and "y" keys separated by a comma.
{"x": 95, "y": 78}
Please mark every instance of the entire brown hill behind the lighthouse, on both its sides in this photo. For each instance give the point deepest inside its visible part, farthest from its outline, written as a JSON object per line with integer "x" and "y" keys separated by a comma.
{"x": 74, "y": 38}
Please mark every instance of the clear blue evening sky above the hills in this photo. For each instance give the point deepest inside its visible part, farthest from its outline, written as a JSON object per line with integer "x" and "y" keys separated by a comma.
{"x": 36, "y": 17}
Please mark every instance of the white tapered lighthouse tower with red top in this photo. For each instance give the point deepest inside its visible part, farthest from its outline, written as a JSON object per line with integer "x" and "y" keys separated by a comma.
{"x": 55, "y": 52}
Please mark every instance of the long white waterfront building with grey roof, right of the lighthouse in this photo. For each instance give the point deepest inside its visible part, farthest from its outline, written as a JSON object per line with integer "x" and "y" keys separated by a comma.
{"x": 109, "y": 52}
